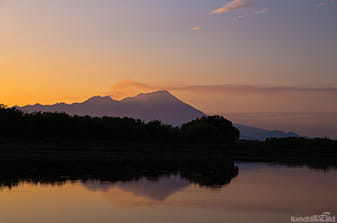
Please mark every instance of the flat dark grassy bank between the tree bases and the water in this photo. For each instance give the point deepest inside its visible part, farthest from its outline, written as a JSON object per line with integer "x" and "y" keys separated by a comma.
{"x": 56, "y": 150}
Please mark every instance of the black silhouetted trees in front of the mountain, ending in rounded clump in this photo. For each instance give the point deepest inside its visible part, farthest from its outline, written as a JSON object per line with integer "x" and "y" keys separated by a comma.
{"x": 18, "y": 124}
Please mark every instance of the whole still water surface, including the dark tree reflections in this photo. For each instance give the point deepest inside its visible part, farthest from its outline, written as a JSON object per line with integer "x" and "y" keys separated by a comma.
{"x": 197, "y": 192}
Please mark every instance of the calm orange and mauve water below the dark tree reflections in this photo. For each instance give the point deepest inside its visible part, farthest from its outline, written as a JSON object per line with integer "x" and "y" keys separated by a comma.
{"x": 258, "y": 193}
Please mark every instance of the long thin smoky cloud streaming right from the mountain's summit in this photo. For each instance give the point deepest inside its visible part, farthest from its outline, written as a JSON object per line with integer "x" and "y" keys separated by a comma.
{"x": 127, "y": 87}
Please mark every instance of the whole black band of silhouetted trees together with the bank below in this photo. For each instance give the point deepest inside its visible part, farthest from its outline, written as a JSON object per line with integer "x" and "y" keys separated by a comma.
{"x": 59, "y": 139}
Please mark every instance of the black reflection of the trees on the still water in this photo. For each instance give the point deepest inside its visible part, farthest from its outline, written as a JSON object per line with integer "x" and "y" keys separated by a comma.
{"x": 215, "y": 174}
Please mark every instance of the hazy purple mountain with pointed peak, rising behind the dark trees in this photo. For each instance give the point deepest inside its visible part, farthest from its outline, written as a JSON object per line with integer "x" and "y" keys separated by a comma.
{"x": 159, "y": 105}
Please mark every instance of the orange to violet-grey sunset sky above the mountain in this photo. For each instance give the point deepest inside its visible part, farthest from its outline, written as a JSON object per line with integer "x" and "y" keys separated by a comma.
{"x": 267, "y": 63}
